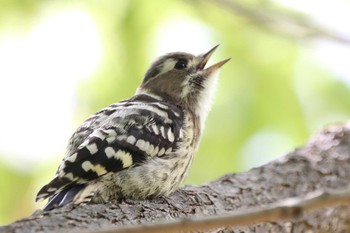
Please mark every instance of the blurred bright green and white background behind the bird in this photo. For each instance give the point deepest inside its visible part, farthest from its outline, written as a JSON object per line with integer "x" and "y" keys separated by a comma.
{"x": 61, "y": 61}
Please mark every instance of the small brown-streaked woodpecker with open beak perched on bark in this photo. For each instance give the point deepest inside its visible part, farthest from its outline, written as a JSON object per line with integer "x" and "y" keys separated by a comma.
{"x": 141, "y": 147}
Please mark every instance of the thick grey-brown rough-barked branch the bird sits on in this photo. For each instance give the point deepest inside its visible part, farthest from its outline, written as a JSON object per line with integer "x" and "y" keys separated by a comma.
{"x": 322, "y": 163}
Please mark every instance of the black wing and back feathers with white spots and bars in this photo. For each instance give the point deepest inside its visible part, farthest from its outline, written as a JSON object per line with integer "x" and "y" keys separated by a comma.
{"x": 130, "y": 133}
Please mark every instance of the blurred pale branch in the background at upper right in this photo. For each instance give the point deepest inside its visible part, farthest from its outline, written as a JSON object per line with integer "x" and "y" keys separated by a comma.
{"x": 283, "y": 22}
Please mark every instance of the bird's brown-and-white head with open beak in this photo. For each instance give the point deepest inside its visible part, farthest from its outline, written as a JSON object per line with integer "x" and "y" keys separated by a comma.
{"x": 182, "y": 79}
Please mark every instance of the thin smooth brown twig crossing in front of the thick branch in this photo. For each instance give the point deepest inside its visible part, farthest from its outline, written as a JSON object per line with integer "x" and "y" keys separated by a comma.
{"x": 289, "y": 209}
